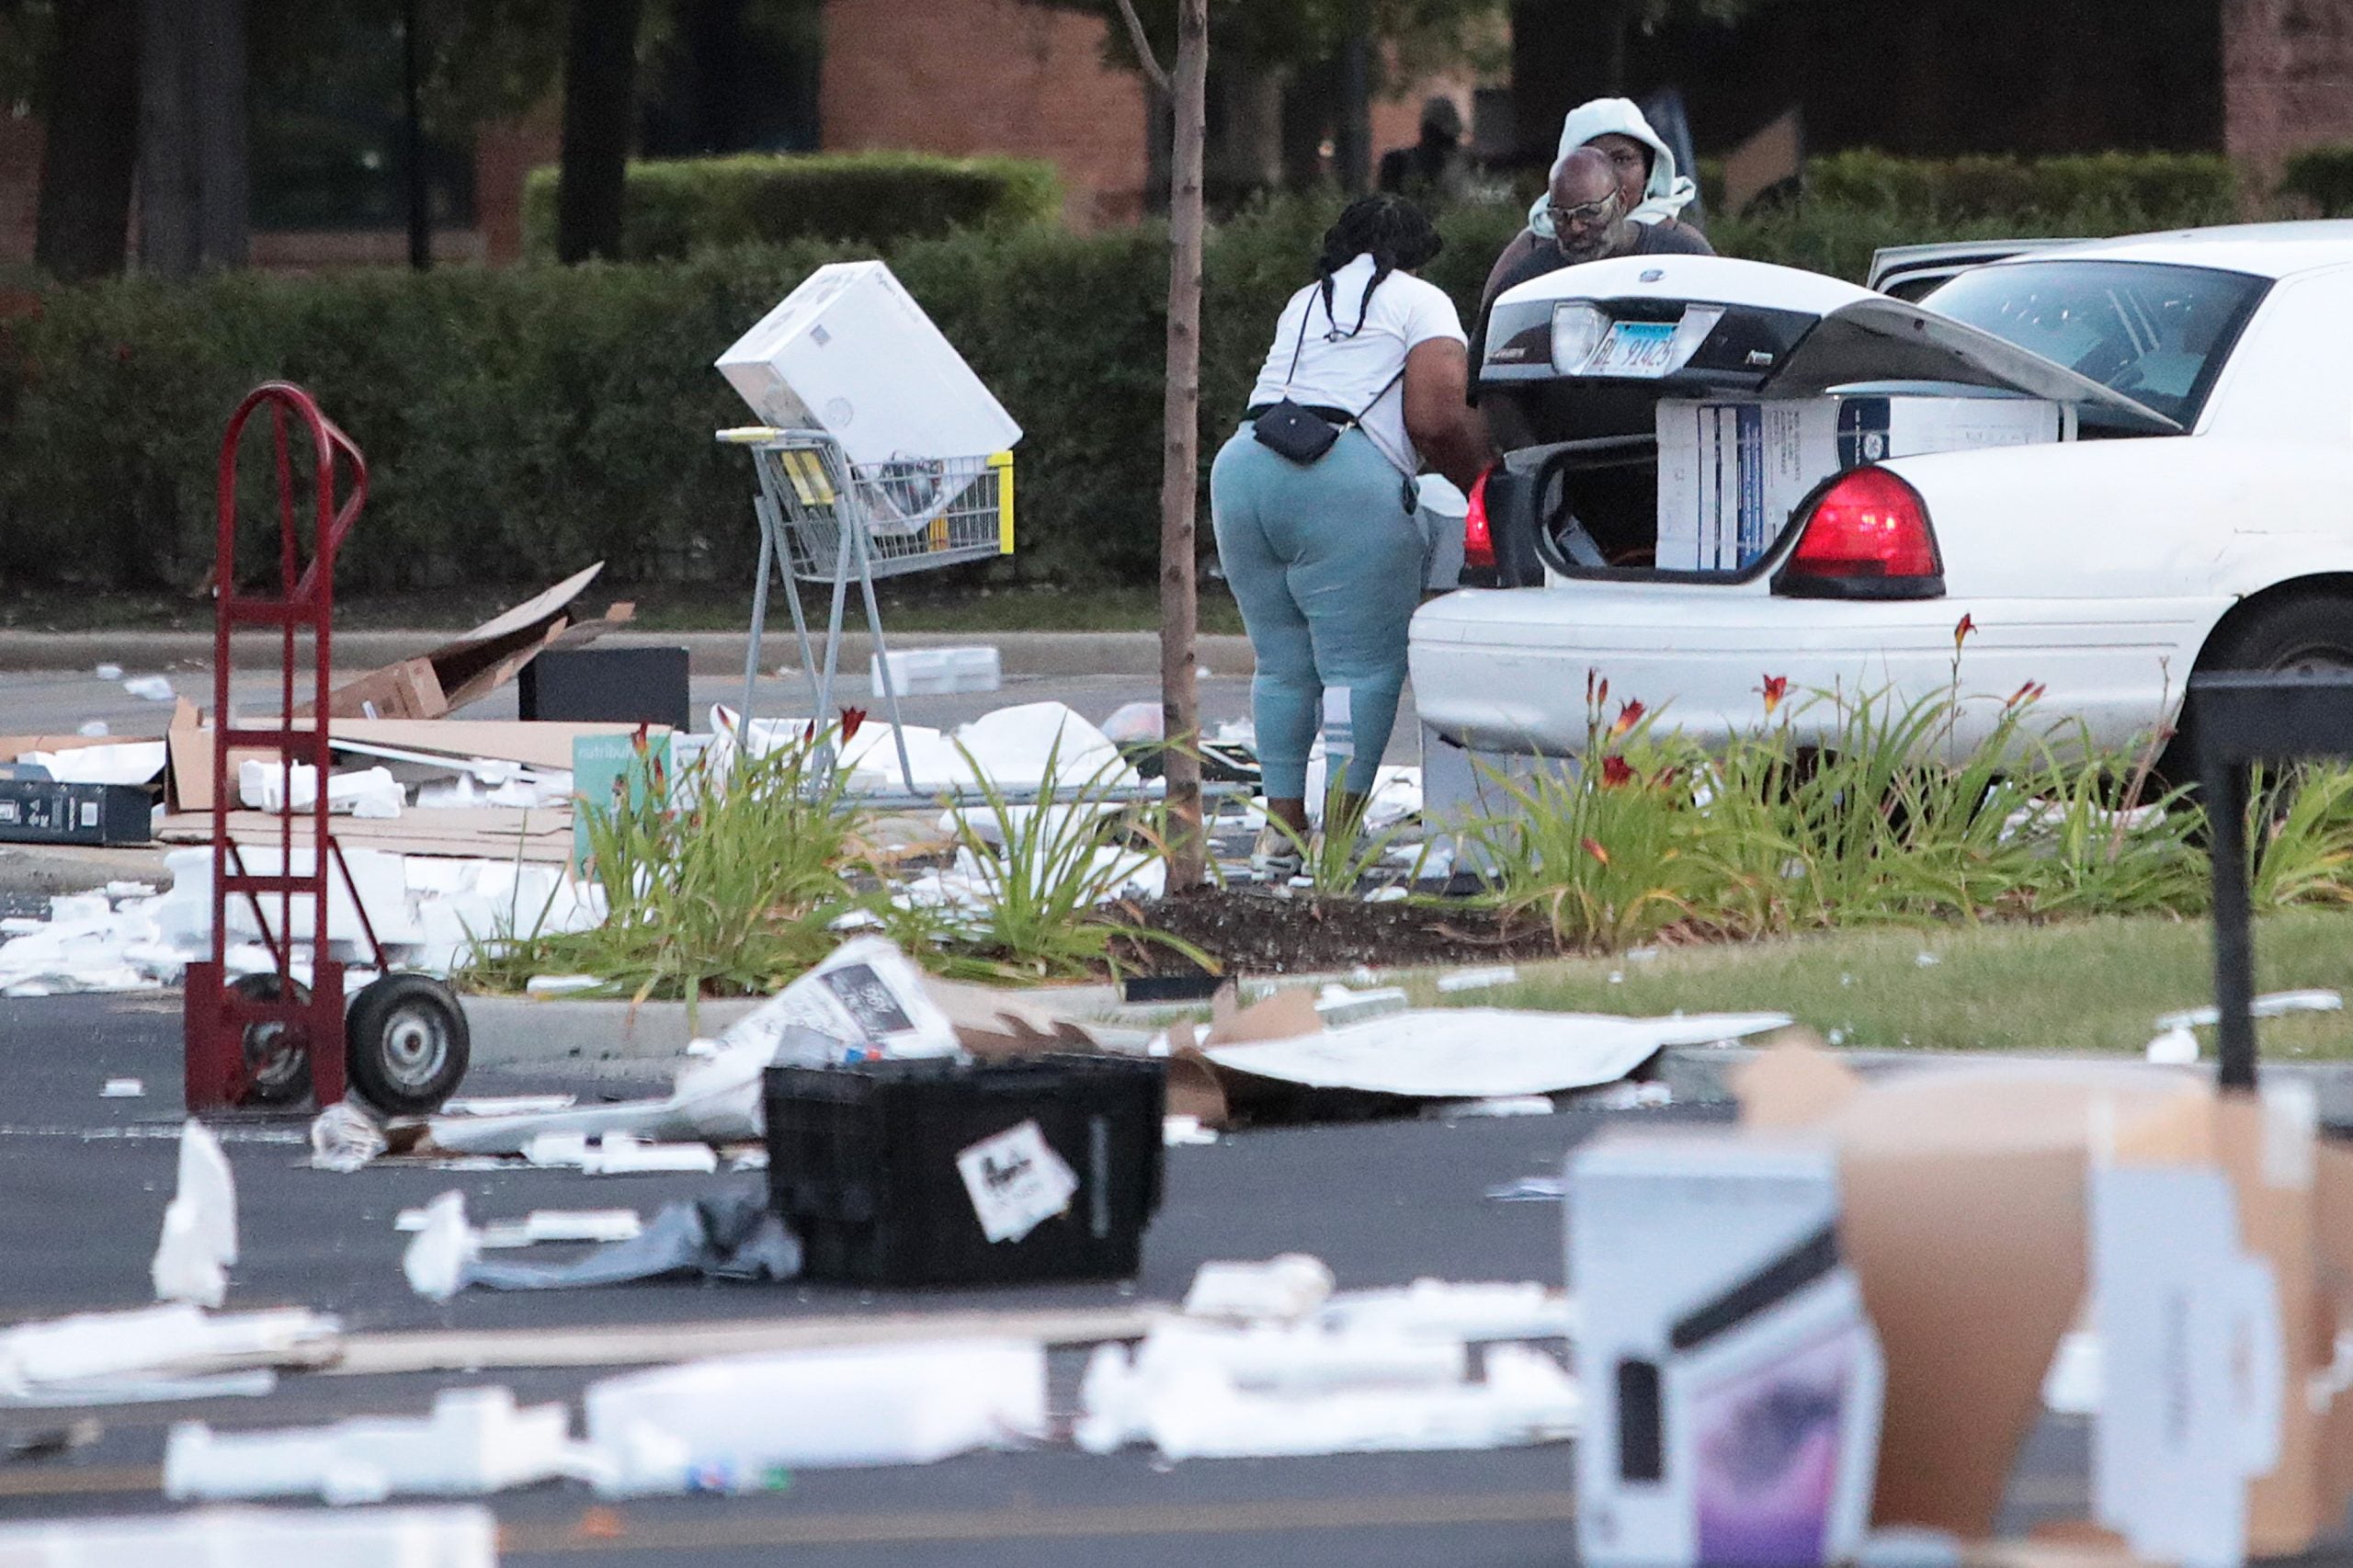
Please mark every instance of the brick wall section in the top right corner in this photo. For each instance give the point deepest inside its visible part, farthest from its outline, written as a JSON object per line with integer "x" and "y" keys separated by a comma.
{"x": 2288, "y": 81}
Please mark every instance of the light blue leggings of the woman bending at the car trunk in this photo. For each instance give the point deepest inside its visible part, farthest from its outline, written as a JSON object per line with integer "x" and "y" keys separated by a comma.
{"x": 1328, "y": 569}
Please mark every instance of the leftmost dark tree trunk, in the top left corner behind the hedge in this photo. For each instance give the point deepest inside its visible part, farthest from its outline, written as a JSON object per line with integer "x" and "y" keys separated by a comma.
{"x": 93, "y": 142}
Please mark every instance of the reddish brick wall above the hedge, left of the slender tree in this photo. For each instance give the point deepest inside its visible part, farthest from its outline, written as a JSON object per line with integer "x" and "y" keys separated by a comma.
{"x": 989, "y": 77}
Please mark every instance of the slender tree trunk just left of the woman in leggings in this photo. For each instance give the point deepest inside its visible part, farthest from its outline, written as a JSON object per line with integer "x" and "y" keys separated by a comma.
{"x": 1180, "y": 477}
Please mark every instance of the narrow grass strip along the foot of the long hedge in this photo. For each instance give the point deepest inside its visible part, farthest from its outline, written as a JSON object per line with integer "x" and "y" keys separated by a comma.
{"x": 660, "y": 609}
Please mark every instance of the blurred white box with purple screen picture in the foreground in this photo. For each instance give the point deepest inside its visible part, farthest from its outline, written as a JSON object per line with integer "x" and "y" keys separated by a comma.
{"x": 1735, "y": 1381}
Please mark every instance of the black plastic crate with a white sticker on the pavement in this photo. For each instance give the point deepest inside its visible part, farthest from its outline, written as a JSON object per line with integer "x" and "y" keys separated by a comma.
{"x": 862, "y": 1162}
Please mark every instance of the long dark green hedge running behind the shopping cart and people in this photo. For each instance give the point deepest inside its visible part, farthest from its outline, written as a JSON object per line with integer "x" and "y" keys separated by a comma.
{"x": 524, "y": 423}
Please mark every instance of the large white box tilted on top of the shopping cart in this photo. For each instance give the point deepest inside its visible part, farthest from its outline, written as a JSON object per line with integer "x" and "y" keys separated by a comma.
{"x": 855, "y": 357}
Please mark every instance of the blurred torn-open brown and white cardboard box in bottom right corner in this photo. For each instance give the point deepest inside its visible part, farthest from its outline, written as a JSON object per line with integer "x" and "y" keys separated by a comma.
{"x": 2213, "y": 1233}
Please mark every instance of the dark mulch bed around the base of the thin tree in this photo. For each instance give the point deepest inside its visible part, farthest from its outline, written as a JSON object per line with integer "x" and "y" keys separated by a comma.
{"x": 1258, "y": 931}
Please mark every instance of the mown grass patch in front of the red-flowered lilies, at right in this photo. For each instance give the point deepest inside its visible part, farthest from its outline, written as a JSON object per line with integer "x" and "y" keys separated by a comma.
{"x": 2084, "y": 988}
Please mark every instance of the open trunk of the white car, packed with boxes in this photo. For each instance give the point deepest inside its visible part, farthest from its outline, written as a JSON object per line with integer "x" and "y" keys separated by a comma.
{"x": 1669, "y": 416}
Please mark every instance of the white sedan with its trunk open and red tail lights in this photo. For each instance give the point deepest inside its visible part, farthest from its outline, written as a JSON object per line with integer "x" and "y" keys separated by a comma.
{"x": 2173, "y": 489}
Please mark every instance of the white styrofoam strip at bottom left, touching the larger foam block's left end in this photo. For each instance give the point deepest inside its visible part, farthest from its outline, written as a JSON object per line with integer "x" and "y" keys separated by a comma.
{"x": 474, "y": 1442}
